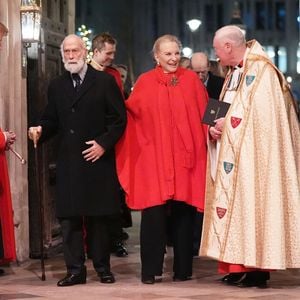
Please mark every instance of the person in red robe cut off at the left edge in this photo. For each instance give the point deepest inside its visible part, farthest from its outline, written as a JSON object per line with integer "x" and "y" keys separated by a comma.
{"x": 7, "y": 238}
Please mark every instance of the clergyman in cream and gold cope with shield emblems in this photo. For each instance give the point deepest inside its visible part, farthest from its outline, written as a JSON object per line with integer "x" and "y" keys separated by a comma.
{"x": 251, "y": 222}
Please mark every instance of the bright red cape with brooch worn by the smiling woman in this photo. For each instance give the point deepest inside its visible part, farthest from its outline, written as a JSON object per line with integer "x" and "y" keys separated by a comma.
{"x": 162, "y": 154}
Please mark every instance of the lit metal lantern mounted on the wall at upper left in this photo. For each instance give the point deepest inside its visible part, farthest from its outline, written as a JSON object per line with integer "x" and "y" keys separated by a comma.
{"x": 31, "y": 11}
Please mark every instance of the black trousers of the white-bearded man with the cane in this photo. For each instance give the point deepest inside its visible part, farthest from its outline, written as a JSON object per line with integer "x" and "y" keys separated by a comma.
{"x": 97, "y": 240}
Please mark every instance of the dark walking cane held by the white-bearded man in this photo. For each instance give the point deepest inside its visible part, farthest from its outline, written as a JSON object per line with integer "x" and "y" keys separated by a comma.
{"x": 41, "y": 207}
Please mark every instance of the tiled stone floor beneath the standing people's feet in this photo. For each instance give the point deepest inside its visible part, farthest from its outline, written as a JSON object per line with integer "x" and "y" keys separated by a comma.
{"x": 23, "y": 282}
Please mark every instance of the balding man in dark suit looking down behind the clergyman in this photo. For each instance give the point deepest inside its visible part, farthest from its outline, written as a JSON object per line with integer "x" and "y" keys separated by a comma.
{"x": 201, "y": 65}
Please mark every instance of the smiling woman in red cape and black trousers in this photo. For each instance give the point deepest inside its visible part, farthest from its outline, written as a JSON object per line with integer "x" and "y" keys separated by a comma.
{"x": 161, "y": 159}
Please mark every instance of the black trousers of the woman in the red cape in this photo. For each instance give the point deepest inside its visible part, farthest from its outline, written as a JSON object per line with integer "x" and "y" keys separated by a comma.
{"x": 153, "y": 238}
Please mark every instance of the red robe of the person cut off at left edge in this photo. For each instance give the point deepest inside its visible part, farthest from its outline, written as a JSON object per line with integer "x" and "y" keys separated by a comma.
{"x": 6, "y": 211}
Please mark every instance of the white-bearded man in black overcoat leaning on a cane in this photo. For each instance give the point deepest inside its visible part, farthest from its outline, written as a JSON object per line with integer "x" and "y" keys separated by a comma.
{"x": 86, "y": 108}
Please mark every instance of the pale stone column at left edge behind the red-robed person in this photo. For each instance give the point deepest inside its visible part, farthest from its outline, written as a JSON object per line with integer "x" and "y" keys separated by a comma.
{"x": 13, "y": 115}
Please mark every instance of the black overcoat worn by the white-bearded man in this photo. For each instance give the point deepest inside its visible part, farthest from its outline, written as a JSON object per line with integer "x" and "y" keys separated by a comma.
{"x": 95, "y": 112}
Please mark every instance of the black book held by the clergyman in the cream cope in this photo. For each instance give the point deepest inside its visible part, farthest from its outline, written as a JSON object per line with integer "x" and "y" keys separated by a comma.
{"x": 215, "y": 109}
